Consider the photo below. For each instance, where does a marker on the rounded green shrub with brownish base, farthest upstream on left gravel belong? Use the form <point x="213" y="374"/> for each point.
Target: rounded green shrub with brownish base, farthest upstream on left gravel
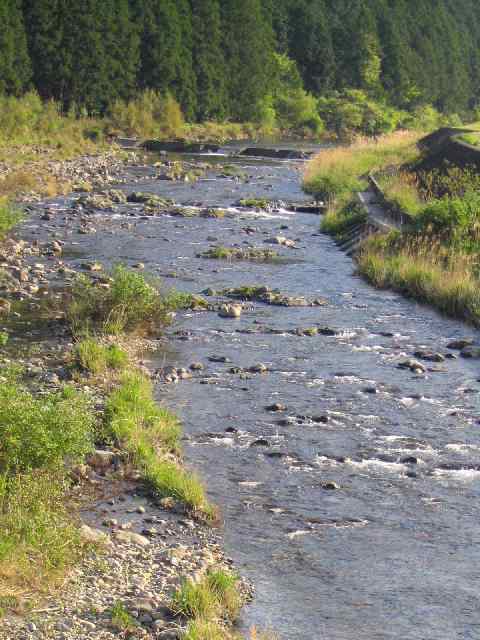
<point x="130" y="303"/>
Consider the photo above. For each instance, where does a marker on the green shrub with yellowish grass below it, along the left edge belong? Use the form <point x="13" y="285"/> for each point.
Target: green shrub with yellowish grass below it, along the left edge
<point x="41" y="436"/>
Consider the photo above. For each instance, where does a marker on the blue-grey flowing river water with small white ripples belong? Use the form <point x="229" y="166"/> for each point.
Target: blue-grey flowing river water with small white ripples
<point x="390" y="551"/>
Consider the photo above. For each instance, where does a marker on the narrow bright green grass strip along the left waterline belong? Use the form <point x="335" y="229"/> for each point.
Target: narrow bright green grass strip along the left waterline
<point x="147" y="431"/>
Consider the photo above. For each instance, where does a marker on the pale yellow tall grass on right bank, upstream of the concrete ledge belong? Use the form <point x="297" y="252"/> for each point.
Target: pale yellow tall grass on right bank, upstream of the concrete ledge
<point x="335" y="174"/>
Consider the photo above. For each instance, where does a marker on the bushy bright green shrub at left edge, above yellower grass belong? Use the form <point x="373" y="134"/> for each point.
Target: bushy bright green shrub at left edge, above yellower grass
<point x="42" y="432"/>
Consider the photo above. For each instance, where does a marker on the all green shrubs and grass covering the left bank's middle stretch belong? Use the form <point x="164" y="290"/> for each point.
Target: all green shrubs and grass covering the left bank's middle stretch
<point x="46" y="434"/>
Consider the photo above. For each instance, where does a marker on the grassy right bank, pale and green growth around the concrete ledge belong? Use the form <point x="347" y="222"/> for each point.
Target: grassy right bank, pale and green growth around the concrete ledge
<point x="436" y="260"/>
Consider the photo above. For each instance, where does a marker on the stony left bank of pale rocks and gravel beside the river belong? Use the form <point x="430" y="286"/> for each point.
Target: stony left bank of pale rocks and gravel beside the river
<point x="141" y="548"/>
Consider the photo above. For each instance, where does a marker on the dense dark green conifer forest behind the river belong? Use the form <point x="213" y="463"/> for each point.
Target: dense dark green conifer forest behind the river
<point x="219" y="58"/>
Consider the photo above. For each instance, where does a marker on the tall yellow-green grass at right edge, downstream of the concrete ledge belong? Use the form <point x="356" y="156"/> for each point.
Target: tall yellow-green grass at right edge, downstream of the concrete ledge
<point x="424" y="269"/>
